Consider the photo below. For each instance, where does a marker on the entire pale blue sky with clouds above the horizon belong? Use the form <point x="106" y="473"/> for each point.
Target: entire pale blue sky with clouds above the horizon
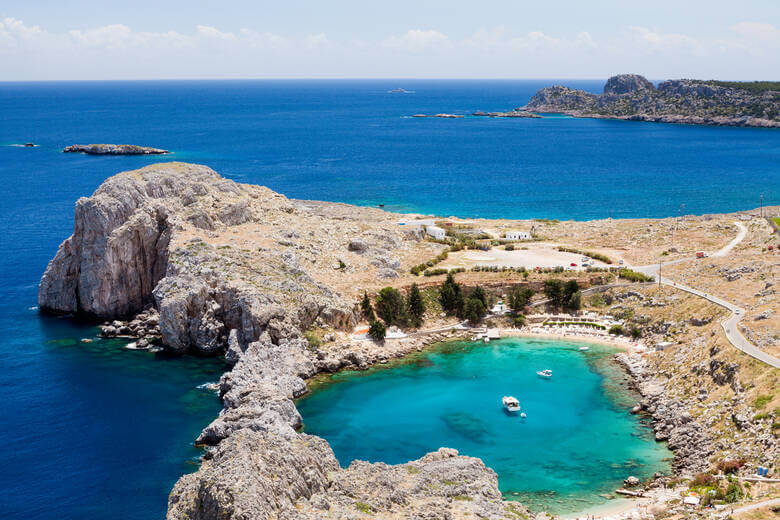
<point x="193" y="39"/>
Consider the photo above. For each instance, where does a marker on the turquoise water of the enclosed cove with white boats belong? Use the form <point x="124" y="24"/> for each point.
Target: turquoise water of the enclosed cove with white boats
<point x="578" y="440"/>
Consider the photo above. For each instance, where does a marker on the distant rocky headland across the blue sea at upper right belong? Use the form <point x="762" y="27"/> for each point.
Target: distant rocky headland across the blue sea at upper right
<point x="632" y="97"/>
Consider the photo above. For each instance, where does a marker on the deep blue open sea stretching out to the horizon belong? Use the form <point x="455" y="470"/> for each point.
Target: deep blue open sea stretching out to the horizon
<point x="90" y="430"/>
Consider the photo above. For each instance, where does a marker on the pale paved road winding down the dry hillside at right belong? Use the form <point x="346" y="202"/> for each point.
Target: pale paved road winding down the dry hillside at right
<point x="730" y="325"/>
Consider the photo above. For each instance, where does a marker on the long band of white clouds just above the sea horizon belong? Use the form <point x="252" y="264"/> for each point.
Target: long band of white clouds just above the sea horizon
<point x="748" y="49"/>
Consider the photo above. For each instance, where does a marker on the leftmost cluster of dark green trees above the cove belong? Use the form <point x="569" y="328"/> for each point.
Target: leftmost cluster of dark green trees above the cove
<point x="392" y="309"/>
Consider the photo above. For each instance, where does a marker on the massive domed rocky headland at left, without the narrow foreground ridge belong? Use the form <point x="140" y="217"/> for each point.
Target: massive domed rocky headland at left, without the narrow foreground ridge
<point x="214" y="258"/>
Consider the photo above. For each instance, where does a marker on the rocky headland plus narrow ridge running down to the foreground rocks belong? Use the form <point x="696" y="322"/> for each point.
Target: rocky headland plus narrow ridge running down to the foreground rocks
<point x="211" y="265"/>
